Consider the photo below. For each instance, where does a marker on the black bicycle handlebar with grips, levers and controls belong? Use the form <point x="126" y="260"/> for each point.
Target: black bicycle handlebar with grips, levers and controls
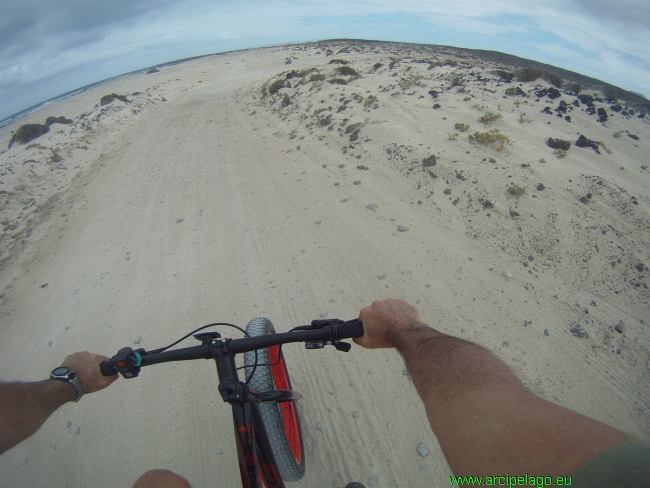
<point x="320" y="332"/>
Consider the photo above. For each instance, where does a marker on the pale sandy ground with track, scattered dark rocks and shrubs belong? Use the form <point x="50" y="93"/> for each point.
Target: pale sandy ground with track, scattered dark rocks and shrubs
<point x="202" y="200"/>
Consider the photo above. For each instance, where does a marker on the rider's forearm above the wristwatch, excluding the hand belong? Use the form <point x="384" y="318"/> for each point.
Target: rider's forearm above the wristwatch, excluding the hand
<point x="26" y="406"/>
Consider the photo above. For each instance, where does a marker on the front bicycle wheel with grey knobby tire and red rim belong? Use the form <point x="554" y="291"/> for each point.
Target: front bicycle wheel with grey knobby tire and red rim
<point x="281" y="419"/>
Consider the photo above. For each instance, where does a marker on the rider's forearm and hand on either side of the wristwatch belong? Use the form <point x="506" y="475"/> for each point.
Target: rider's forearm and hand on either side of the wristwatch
<point x="24" y="407"/>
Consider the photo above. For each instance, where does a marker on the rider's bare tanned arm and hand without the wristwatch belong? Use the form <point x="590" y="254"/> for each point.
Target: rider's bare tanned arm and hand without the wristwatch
<point x="486" y="421"/>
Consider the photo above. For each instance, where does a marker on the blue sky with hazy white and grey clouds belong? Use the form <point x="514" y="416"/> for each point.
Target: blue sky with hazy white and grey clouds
<point x="48" y="48"/>
